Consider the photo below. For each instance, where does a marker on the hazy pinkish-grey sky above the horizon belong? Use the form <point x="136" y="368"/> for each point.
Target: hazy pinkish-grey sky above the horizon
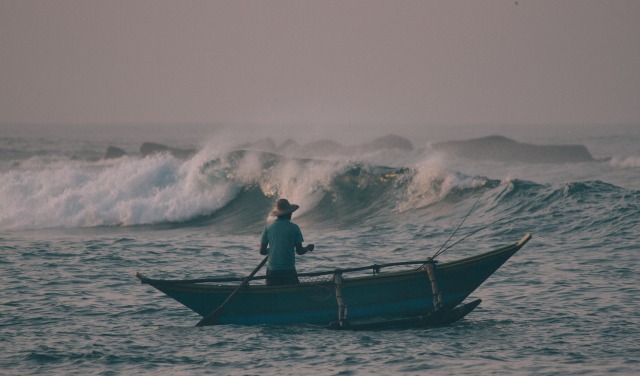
<point x="320" y="62"/>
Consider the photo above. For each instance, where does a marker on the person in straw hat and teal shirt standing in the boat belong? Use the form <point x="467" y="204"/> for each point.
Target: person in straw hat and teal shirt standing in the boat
<point x="283" y="238"/>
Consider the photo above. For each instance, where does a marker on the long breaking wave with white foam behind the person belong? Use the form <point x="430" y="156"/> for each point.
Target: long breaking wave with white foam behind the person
<point x="237" y="189"/>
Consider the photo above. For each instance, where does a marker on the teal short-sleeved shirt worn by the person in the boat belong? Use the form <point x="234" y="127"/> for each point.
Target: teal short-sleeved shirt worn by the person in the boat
<point x="282" y="236"/>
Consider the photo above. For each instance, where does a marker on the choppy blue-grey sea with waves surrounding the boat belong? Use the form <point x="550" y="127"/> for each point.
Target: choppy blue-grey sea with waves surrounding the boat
<point x="75" y="227"/>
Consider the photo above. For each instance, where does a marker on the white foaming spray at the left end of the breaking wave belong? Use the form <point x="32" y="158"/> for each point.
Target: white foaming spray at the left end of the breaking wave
<point x="131" y="192"/>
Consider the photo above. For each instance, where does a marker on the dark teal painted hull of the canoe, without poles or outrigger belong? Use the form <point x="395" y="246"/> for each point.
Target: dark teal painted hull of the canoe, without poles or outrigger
<point x="382" y="297"/>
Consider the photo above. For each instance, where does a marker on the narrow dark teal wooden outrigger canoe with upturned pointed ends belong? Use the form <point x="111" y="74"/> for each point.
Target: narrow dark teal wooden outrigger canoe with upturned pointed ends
<point x="429" y="294"/>
